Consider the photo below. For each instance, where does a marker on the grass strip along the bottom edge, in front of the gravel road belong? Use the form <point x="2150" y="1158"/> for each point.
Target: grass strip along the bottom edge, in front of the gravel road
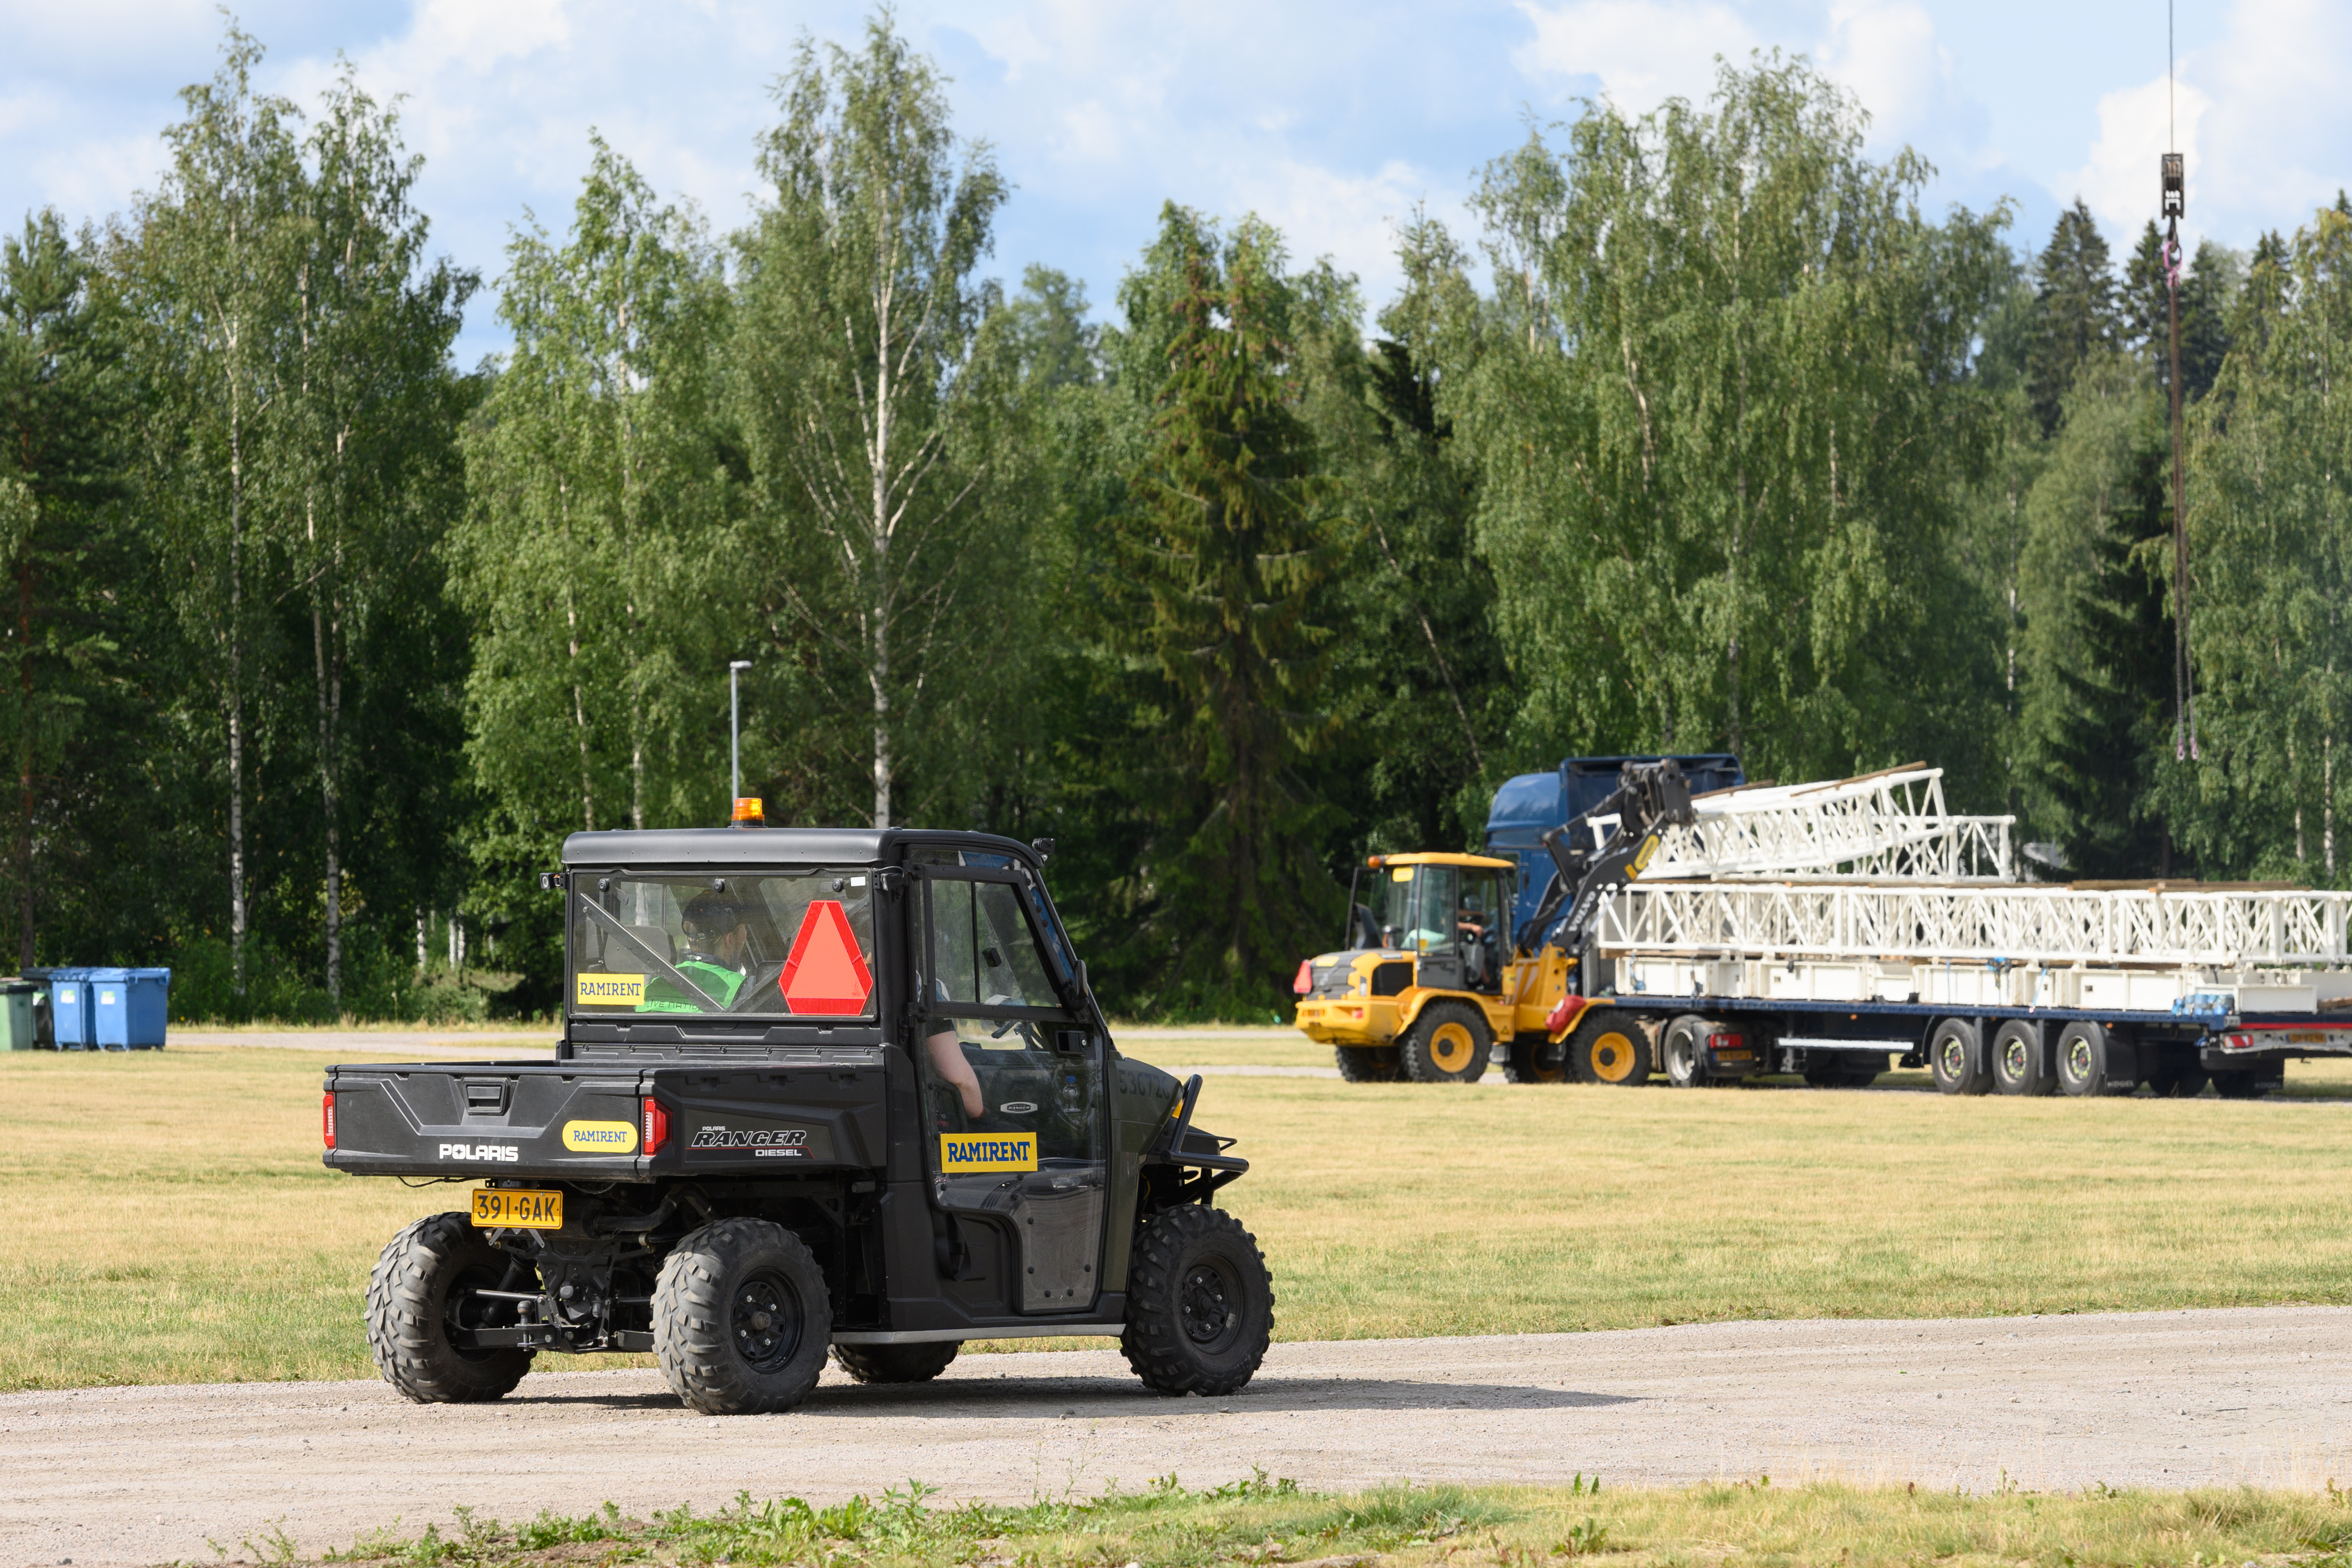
<point x="1274" y="1522"/>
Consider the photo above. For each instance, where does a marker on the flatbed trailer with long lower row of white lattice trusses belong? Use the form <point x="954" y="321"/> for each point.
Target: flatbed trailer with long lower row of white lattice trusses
<point x="2017" y="989"/>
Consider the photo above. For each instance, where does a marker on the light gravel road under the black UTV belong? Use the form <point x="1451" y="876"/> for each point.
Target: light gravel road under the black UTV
<point x="2165" y="1400"/>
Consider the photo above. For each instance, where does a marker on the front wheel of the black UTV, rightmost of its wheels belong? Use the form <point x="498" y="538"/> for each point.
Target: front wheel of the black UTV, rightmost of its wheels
<point x="1201" y="1306"/>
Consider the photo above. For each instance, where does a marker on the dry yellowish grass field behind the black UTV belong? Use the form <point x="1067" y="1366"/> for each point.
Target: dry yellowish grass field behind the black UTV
<point x="171" y="1221"/>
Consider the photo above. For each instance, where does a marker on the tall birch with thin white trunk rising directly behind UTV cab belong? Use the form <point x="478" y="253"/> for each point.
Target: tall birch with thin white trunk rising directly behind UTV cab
<point x="860" y="373"/>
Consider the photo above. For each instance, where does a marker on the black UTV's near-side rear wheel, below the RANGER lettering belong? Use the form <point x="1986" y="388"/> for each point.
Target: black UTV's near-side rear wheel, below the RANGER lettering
<point x="742" y="1320"/>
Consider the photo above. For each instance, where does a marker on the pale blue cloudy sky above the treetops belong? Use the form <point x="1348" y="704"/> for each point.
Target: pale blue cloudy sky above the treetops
<point x="1323" y="116"/>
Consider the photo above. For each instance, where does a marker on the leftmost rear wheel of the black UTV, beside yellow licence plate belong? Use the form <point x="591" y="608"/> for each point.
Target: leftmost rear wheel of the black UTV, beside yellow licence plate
<point x="425" y="1289"/>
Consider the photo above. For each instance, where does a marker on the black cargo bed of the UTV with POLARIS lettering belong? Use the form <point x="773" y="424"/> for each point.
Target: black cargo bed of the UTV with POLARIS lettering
<point x="603" y="1120"/>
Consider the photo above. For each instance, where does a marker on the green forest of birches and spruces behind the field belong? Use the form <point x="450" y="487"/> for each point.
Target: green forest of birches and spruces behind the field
<point x="1709" y="436"/>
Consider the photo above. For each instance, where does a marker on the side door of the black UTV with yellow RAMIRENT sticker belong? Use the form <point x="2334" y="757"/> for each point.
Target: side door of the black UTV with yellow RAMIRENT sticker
<point x="1013" y="1092"/>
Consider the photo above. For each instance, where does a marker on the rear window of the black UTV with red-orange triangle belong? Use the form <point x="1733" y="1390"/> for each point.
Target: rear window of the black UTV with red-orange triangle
<point x="789" y="946"/>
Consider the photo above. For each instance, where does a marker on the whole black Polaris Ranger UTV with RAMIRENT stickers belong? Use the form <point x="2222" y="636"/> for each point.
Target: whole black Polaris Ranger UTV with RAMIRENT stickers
<point x="820" y="1090"/>
